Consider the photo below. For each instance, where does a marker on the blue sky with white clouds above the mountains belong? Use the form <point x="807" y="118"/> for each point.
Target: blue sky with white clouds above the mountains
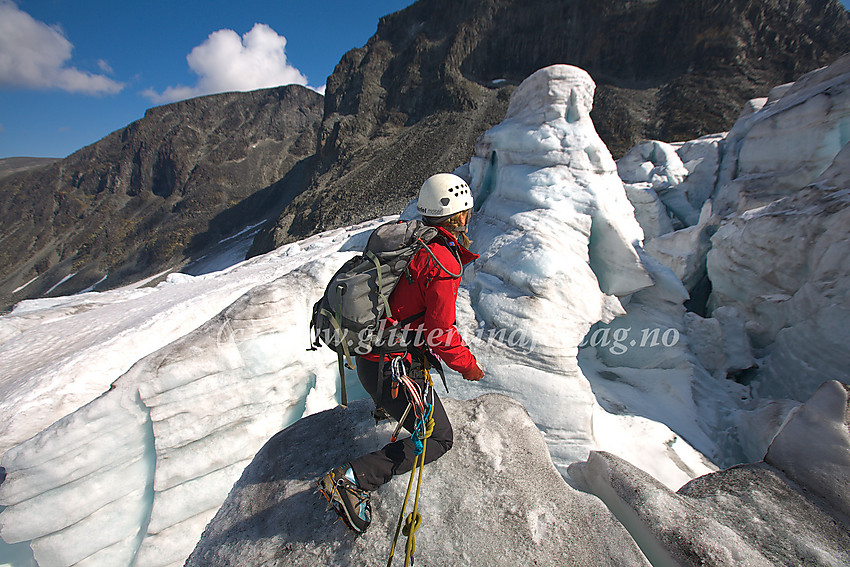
<point x="72" y="71"/>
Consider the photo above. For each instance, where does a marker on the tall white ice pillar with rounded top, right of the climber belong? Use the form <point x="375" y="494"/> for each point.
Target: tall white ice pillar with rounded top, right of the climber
<point x="553" y="225"/>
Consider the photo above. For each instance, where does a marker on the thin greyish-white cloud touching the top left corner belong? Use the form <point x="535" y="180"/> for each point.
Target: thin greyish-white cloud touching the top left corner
<point x="34" y="55"/>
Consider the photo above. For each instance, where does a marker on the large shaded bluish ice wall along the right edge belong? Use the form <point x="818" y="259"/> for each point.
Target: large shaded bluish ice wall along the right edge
<point x="782" y="259"/>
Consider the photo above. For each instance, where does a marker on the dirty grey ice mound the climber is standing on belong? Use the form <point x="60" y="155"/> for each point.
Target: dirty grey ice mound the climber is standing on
<point x="495" y="499"/>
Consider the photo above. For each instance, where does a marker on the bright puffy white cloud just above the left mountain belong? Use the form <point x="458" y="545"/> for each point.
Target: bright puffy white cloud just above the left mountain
<point x="228" y="62"/>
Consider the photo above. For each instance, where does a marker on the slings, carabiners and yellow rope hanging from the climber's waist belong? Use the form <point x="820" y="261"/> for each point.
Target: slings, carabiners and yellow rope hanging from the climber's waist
<point x="422" y="405"/>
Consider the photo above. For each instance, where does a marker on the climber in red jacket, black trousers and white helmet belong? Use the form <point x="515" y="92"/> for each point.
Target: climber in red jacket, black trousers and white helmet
<point x="445" y="202"/>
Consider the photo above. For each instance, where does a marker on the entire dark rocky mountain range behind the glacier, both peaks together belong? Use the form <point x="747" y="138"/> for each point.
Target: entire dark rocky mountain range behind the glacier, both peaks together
<point x="408" y="104"/>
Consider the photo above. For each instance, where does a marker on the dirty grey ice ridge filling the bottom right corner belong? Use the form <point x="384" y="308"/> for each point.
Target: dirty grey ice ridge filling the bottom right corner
<point x="789" y="509"/>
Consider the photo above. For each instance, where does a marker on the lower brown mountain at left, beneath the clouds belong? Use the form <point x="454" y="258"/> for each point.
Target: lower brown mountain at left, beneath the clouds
<point x="147" y="197"/>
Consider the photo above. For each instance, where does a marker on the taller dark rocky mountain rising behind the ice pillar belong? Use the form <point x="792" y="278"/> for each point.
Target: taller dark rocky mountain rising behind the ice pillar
<point x="439" y="73"/>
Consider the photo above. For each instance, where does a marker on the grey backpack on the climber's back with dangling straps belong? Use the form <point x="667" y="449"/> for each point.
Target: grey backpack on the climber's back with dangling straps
<point x="354" y="315"/>
